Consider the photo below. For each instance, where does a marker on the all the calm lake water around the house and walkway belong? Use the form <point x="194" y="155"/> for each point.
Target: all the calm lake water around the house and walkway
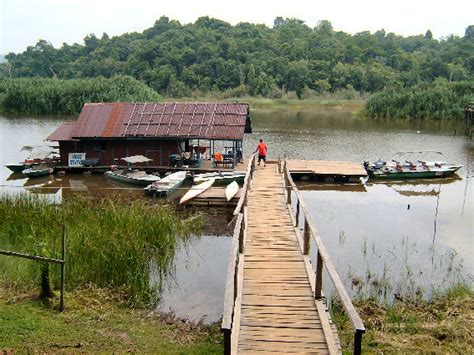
<point x="386" y="239"/>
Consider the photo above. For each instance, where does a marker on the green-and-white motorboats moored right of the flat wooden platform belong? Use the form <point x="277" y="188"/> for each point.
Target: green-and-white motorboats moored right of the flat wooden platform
<point x="411" y="165"/>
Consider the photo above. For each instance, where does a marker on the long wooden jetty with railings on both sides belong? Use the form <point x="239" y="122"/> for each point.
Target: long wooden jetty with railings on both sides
<point x="274" y="300"/>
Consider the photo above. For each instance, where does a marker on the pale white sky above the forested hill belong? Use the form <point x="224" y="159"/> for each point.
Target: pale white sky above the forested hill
<point x="24" y="22"/>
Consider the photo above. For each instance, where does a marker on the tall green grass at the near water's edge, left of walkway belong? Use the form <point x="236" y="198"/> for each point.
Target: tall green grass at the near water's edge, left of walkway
<point x="110" y="241"/>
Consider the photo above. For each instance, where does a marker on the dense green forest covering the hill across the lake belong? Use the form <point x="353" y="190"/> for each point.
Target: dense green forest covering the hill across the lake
<point x="179" y="60"/>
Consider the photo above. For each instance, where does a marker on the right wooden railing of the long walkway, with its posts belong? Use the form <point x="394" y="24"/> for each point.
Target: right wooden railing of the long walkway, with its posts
<point x="323" y="258"/>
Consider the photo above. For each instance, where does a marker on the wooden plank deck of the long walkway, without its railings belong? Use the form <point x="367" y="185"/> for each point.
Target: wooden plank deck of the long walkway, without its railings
<point x="278" y="309"/>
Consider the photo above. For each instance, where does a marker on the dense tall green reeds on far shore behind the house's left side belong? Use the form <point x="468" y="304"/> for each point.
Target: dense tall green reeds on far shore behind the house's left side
<point x="55" y="96"/>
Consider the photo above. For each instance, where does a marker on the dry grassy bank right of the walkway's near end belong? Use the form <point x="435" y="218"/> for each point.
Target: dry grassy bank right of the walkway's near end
<point x="442" y="325"/>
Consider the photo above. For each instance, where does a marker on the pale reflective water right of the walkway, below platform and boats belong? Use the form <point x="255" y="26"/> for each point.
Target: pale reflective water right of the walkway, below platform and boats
<point x="397" y="238"/>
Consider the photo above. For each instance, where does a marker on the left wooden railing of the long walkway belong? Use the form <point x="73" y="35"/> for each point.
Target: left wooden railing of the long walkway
<point x="235" y="269"/>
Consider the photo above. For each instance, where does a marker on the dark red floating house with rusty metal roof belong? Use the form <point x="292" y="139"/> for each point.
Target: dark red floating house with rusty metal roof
<point x="104" y="133"/>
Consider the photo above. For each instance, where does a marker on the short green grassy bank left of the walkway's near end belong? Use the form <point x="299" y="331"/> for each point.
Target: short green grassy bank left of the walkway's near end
<point x="97" y="320"/>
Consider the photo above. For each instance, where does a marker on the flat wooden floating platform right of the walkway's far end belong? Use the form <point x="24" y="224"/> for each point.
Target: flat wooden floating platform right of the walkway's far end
<point x="323" y="170"/>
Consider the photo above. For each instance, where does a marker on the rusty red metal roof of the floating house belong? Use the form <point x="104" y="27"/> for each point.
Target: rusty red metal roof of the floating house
<point x="186" y="120"/>
